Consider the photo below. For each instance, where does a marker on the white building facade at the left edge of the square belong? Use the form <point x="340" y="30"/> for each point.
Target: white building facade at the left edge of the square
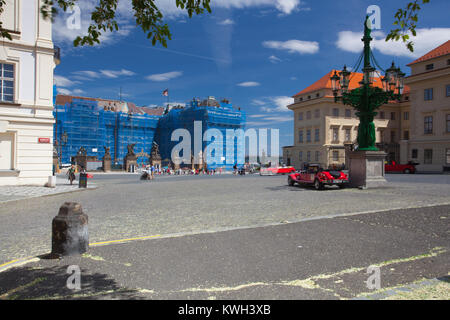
<point x="26" y="95"/>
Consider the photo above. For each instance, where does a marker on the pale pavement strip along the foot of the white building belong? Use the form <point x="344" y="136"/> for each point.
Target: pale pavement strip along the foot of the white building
<point x="11" y="193"/>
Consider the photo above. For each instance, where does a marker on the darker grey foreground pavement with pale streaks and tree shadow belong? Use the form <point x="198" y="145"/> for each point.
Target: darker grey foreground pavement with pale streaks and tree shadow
<point x="330" y="258"/>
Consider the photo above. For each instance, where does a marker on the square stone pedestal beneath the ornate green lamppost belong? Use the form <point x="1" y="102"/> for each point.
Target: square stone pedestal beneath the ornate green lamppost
<point x="366" y="169"/>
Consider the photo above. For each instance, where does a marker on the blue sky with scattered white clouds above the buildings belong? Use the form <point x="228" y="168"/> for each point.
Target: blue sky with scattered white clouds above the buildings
<point x="257" y="53"/>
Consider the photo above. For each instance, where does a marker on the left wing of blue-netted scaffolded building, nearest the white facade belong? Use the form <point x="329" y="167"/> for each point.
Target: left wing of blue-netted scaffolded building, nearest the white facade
<point x="96" y="124"/>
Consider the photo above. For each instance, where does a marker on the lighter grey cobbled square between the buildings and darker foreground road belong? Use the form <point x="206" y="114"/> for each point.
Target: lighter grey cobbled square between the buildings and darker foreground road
<point x="124" y="207"/>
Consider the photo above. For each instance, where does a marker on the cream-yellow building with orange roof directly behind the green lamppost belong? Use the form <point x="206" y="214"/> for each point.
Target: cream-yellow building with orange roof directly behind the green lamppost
<point x="322" y="127"/>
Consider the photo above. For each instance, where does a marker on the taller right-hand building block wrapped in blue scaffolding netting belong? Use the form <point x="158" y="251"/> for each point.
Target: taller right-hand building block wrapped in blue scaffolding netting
<point x="207" y="116"/>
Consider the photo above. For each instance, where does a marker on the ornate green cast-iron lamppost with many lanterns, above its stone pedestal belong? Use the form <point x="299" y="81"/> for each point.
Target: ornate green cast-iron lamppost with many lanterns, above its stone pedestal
<point x="367" y="98"/>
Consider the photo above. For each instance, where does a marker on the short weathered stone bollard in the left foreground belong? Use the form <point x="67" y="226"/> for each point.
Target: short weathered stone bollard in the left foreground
<point x="70" y="234"/>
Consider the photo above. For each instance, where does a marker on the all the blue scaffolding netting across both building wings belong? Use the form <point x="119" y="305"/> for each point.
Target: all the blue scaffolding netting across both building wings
<point x="86" y="123"/>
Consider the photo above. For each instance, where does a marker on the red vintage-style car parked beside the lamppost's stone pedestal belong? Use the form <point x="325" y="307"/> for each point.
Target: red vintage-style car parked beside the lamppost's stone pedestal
<point x="318" y="177"/>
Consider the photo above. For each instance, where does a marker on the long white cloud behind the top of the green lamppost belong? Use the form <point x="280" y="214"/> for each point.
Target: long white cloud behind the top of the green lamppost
<point x="425" y="41"/>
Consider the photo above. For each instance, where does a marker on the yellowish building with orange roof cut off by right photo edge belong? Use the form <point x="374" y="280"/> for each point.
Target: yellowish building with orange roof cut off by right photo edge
<point x="429" y="83"/>
